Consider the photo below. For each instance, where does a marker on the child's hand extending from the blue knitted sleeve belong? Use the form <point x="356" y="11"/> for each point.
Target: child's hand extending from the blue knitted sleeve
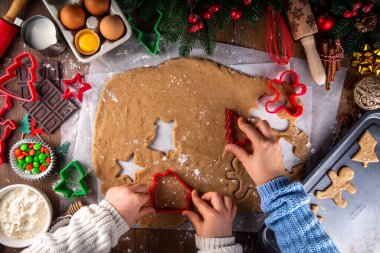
<point x="265" y="163"/>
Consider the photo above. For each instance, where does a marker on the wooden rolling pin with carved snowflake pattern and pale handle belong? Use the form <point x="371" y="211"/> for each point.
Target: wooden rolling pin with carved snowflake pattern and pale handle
<point x="303" y="26"/>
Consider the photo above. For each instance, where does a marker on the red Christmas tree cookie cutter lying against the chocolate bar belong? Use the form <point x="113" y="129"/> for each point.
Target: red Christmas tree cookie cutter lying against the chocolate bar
<point x="10" y="73"/>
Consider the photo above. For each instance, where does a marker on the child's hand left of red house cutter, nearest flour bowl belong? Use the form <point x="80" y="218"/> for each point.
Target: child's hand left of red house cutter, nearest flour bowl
<point x="129" y="201"/>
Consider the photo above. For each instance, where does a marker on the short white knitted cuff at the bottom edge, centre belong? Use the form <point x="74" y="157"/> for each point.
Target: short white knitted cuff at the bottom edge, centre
<point x="217" y="245"/>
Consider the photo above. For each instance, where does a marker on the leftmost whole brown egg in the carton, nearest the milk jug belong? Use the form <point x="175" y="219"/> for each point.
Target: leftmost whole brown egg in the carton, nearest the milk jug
<point x="73" y="17"/>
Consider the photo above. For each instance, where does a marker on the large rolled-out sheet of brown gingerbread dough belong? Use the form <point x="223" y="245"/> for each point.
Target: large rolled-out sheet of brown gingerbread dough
<point x="194" y="93"/>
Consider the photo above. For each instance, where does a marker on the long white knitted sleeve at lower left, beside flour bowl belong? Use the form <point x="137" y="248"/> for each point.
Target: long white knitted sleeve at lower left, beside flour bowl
<point x="96" y="228"/>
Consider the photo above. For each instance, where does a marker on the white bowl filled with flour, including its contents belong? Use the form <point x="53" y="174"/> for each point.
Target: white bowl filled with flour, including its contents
<point x="25" y="212"/>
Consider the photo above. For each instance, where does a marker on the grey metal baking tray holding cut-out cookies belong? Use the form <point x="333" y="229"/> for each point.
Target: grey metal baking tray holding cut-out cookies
<point x="355" y="228"/>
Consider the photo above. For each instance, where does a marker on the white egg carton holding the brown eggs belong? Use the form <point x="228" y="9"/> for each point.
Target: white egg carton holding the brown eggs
<point x="54" y="7"/>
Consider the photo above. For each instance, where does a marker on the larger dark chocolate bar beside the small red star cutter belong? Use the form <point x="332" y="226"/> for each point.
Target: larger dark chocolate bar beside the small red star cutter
<point x="51" y="109"/>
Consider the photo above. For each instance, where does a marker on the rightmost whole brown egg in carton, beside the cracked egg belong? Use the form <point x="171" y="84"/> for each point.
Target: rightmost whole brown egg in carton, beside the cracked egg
<point x="112" y="27"/>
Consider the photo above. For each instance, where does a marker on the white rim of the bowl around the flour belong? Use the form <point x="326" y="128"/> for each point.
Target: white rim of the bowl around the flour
<point x="22" y="243"/>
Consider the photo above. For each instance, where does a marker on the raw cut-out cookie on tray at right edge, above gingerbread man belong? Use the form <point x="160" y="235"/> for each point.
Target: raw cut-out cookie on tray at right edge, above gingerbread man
<point x="366" y="153"/>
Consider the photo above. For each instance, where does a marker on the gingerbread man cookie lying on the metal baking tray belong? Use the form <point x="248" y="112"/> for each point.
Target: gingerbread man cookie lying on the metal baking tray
<point x="339" y="183"/>
